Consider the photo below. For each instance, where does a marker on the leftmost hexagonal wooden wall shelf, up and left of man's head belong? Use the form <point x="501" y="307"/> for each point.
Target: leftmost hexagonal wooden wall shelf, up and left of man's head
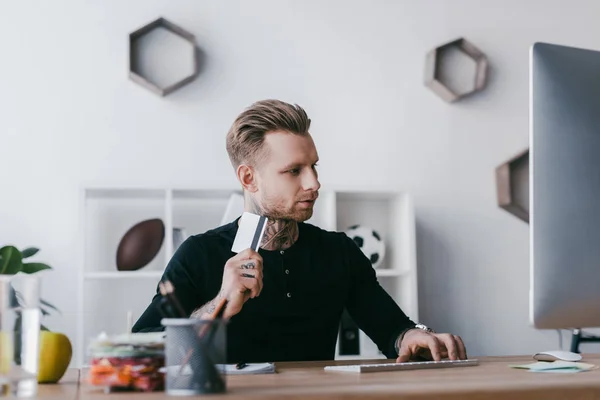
<point x="139" y="73"/>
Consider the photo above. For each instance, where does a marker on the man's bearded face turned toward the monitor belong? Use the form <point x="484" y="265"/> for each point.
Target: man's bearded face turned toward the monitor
<point x="287" y="177"/>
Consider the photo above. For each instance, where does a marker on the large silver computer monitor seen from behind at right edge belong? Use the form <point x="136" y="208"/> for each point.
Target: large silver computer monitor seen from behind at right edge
<point x="564" y="187"/>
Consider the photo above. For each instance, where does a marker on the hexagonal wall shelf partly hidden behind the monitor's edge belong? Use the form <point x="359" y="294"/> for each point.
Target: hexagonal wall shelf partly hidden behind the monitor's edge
<point x="512" y="185"/>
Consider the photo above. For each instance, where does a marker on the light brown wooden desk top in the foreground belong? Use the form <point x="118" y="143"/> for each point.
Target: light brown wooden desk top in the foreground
<point x="492" y="379"/>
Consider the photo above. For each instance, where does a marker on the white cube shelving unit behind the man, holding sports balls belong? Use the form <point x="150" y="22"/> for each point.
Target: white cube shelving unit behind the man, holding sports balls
<point x="106" y="294"/>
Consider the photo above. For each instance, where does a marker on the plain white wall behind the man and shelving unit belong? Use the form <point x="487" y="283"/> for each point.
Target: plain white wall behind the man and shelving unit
<point x="70" y="117"/>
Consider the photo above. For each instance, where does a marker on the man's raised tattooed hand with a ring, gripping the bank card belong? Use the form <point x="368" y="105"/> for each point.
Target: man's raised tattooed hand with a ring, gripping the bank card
<point x="242" y="280"/>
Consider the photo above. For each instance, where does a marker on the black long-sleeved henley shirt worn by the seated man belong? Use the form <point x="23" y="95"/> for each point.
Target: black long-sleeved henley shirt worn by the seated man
<point x="305" y="289"/>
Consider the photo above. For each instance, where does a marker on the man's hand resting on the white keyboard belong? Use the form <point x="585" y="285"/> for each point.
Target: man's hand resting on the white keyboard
<point x="418" y="344"/>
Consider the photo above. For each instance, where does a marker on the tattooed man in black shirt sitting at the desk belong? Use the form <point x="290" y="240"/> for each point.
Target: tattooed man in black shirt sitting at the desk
<point x="284" y="302"/>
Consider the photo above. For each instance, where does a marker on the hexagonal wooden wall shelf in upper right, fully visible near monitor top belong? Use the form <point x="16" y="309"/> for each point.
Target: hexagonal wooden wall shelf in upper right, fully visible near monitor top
<point x="438" y="79"/>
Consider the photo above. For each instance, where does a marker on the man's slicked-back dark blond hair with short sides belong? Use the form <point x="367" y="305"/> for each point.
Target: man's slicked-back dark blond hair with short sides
<point x="247" y="134"/>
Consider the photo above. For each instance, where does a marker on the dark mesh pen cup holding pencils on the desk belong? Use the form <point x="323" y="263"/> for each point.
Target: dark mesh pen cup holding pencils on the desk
<point x="195" y="356"/>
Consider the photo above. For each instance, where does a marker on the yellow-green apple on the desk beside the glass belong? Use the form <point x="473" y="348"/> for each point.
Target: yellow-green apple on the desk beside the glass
<point x="55" y="356"/>
